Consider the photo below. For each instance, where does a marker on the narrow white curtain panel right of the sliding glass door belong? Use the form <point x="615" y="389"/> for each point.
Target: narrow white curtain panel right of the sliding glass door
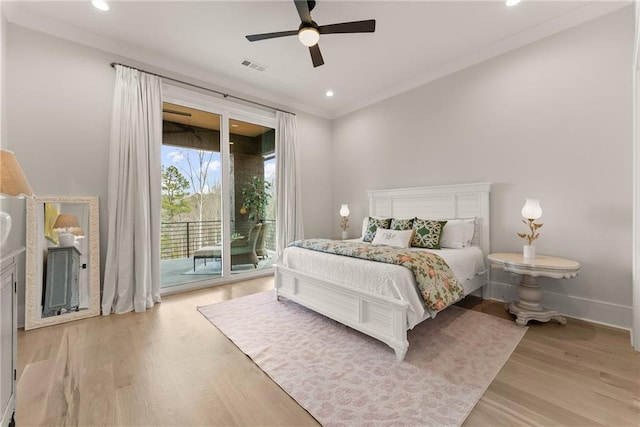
<point x="289" y="213"/>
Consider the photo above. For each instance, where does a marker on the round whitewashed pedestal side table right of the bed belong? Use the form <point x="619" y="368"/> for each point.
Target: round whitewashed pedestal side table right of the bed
<point x="529" y="291"/>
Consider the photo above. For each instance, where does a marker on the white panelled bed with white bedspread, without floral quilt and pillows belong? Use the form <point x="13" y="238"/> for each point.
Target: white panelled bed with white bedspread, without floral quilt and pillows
<point x="325" y="283"/>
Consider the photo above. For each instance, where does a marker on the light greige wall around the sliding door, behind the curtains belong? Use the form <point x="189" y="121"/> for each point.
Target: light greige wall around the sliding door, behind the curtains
<point x="59" y="110"/>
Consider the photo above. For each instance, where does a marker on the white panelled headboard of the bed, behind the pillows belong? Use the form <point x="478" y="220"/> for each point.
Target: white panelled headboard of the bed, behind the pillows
<point x="438" y="202"/>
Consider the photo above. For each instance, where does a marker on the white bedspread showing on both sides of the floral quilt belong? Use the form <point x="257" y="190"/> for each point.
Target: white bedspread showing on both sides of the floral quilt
<point x="381" y="278"/>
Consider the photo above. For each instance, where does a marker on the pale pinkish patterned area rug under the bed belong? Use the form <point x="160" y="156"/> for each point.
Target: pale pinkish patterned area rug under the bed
<point x="345" y="378"/>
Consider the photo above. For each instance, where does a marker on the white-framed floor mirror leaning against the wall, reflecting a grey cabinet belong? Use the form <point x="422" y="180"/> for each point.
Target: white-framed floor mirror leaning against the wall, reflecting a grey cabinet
<point x="63" y="260"/>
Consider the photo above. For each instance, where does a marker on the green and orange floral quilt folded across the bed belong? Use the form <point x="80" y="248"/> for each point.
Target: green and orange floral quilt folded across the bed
<point x="438" y="286"/>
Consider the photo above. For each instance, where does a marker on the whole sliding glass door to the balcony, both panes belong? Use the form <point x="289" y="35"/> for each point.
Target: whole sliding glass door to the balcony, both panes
<point x="218" y="195"/>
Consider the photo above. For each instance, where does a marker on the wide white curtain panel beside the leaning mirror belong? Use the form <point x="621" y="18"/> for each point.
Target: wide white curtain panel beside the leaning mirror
<point x="132" y="272"/>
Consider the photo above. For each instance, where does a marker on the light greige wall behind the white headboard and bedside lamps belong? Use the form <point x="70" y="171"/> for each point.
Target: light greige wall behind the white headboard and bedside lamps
<point x="551" y="120"/>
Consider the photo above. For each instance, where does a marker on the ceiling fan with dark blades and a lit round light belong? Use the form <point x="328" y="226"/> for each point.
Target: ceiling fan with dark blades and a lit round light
<point x="309" y="32"/>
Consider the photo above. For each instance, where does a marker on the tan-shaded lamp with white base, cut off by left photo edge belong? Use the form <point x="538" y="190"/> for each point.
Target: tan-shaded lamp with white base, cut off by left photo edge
<point x="13" y="183"/>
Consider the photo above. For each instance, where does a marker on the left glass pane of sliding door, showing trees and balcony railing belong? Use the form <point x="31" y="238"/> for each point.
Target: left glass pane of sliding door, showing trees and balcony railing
<point x="191" y="195"/>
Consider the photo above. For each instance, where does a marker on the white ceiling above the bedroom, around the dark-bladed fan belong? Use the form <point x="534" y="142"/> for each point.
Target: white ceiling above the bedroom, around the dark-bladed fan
<point x="415" y="41"/>
